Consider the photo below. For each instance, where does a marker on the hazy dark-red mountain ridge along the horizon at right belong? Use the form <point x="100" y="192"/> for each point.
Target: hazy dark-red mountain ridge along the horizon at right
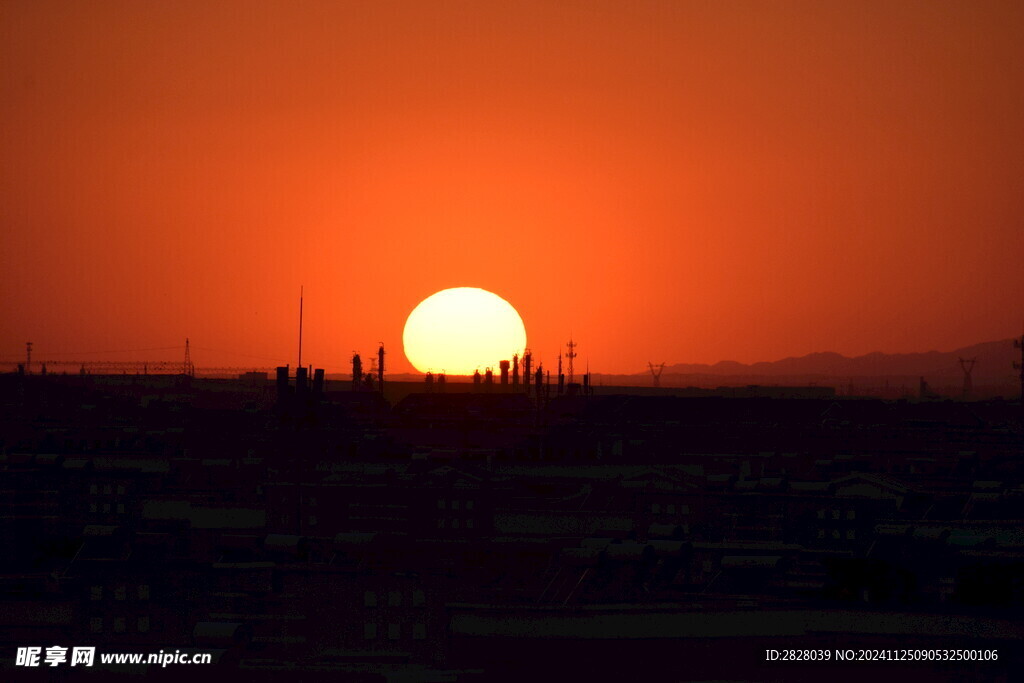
<point x="995" y="364"/>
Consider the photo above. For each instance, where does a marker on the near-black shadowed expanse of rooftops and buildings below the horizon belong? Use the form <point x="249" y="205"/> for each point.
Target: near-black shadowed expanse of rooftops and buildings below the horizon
<point x="486" y="536"/>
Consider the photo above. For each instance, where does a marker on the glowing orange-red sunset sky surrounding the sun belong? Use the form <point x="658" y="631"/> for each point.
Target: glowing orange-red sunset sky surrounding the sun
<point x="680" y="182"/>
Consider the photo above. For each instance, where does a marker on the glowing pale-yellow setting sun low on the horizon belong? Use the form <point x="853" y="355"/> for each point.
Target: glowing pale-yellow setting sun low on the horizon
<point x="460" y="330"/>
